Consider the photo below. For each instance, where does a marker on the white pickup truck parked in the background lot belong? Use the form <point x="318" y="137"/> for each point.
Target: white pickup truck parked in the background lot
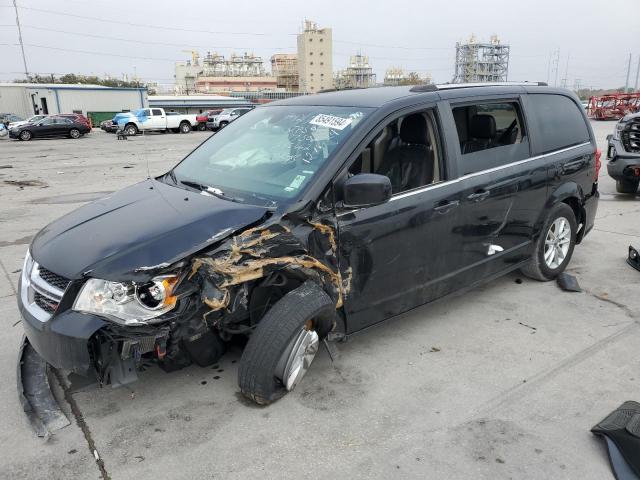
<point x="148" y="119"/>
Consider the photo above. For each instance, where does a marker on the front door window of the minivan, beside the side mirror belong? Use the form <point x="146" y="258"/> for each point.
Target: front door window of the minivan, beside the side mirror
<point x="407" y="150"/>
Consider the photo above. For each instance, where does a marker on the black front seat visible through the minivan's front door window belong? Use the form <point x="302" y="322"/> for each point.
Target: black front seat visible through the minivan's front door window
<point x="410" y="164"/>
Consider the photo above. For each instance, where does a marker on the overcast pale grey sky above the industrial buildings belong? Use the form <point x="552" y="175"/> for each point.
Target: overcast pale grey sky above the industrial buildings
<point x="416" y="35"/>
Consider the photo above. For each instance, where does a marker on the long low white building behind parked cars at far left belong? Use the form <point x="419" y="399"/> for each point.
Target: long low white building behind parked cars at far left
<point x="94" y="101"/>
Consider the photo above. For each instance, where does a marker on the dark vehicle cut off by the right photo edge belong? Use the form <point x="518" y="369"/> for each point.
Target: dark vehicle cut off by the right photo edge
<point x="623" y="154"/>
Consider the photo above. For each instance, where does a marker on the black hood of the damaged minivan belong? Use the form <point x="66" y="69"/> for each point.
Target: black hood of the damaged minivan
<point x="131" y="233"/>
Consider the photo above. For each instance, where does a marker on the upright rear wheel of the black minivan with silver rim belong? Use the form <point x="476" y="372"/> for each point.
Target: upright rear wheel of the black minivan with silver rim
<point x="550" y="257"/>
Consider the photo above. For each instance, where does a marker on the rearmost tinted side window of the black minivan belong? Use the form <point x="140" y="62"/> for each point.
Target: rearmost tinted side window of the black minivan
<point x="558" y="122"/>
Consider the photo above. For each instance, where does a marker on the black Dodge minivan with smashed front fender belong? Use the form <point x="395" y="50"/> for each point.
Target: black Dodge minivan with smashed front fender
<point x="310" y="219"/>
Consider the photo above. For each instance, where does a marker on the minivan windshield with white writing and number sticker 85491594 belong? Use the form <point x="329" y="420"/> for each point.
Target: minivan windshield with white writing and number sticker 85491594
<point x="269" y="154"/>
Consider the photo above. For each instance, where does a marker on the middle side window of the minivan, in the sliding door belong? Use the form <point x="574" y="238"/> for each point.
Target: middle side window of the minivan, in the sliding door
<point x="490" y="134"/>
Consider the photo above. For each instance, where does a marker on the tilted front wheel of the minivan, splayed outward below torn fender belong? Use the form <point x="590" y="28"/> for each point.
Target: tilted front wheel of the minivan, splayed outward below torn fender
<point x="284" y="343"/>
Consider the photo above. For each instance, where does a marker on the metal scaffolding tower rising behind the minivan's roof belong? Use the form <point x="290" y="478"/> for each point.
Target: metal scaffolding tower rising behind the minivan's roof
<point x="481" y="62"/>
